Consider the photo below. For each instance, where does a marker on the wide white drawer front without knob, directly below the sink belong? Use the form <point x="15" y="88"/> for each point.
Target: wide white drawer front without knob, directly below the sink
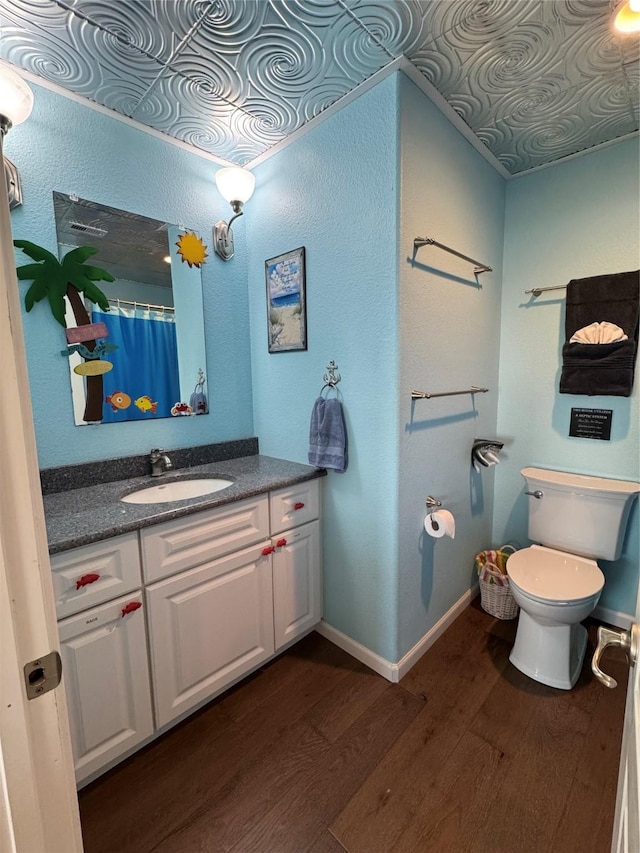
<point x="188" y="542"/>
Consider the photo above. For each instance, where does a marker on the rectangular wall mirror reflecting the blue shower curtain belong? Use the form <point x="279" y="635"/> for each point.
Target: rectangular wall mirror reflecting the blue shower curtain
<point x="152" y="358"/>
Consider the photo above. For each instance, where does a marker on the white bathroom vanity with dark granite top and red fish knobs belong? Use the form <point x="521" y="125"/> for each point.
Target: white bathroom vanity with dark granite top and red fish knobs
<point x="162" y="607"/>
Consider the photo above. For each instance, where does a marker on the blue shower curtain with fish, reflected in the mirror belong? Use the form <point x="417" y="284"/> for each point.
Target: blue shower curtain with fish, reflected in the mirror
<point x="145" y="365"/>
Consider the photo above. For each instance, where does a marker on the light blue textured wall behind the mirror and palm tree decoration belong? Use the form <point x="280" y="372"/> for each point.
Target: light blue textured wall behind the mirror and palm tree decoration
<point x="68" y="147"/>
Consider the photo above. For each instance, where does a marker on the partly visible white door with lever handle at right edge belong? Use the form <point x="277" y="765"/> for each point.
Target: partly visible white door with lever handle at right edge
<point x="626" y="828"/>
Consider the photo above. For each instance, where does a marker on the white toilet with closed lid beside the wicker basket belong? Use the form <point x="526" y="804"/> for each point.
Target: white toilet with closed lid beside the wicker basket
<point x="573" y="519"/>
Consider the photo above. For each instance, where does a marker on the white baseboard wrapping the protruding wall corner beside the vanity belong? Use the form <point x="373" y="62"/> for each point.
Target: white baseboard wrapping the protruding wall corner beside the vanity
<point x="395" y="671"/>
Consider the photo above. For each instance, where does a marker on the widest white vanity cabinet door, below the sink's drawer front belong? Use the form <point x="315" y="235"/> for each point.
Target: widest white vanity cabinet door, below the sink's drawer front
<point x="208" y="627"/>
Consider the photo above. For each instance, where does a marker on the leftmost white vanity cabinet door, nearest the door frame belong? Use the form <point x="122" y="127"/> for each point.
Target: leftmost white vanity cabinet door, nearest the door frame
<point x="105" y="673"/>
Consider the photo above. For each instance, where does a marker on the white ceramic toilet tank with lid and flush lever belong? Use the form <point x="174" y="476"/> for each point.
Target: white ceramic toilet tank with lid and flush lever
<point x="578" y="513"/>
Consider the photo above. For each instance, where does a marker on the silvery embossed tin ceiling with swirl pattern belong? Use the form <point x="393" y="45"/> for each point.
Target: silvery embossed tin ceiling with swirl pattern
<point x="535" y="80"/>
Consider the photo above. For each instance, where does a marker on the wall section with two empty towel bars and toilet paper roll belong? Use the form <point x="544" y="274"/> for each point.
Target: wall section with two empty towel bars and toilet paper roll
<point x="450" y="335"/>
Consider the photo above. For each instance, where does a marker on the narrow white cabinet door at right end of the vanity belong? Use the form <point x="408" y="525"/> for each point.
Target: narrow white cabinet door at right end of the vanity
<point x="297" y="583"/>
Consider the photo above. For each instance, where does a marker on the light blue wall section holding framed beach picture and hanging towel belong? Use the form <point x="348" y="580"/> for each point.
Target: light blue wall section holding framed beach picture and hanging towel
<point x="335" y="191"/>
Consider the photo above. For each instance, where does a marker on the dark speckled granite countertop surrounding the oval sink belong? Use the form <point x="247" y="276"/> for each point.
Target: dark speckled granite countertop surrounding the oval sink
<point x="81" y="516"/>
